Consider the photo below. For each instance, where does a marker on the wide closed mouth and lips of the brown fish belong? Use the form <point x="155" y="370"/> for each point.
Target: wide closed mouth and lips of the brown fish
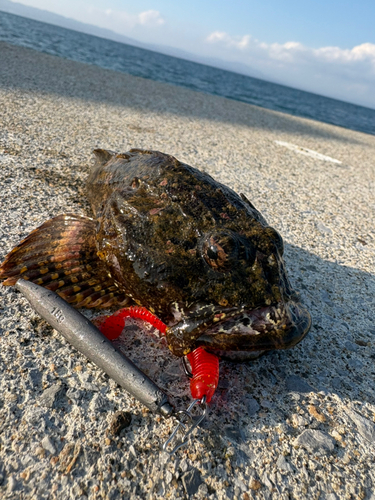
<point x="233" y="331"/>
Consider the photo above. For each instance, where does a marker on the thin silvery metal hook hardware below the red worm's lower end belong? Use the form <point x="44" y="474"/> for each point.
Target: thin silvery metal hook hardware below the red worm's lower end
<point x="193" y="420"/>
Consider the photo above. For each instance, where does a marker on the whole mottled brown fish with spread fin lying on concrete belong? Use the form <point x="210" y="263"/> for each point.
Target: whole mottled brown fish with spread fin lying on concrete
<point x="168" y="237"/>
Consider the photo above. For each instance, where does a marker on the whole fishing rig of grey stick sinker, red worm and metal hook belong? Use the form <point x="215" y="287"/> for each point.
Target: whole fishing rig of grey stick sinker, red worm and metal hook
<point x="95" y="345"/>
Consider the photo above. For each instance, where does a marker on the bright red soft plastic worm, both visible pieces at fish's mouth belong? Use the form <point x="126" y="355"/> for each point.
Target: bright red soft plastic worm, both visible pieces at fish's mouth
<point x="204" y="366"/>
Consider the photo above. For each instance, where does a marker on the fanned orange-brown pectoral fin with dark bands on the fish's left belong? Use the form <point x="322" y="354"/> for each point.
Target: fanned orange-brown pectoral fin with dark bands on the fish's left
<point x="61" y="255"/>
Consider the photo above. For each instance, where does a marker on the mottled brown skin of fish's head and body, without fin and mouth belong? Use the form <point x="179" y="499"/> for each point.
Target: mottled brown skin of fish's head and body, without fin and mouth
<point x="185" y="246"/>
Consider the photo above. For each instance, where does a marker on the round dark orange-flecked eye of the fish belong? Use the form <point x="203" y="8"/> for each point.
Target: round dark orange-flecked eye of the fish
<point x="217" y="251"/>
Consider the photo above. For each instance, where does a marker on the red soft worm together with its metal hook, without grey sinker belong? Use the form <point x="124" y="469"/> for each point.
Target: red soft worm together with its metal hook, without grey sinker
<point x="204" y="375"/>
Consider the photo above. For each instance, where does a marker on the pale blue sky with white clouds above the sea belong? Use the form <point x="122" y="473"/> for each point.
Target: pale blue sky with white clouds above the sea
<point x="322" y="46"/>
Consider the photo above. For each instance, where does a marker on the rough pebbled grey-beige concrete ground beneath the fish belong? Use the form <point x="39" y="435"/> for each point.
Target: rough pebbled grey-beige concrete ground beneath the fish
<point x="292" y="424"/>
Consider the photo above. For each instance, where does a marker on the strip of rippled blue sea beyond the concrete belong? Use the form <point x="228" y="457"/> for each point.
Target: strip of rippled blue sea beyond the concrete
<point x="155" y="66"/>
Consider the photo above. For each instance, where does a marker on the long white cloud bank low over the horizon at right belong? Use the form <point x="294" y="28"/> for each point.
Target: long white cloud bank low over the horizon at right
<point x="347" y="74"/>
